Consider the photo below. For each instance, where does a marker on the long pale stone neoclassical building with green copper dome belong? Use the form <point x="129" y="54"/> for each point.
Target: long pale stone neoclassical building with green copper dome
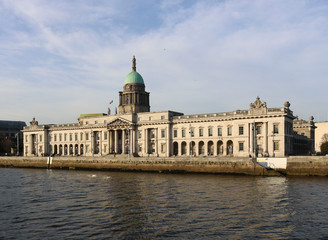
<point x="136" y="131"/>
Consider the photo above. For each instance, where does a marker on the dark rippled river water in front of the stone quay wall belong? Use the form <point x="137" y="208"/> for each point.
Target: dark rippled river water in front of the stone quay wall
<point x="58" y="204"/>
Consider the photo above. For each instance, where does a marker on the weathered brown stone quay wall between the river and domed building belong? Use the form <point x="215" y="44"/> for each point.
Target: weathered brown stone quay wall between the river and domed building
<point x="296" y="166"/>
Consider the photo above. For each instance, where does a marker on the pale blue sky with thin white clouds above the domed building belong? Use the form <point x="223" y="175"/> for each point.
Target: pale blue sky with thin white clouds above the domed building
<point x="60" y="59"/>
